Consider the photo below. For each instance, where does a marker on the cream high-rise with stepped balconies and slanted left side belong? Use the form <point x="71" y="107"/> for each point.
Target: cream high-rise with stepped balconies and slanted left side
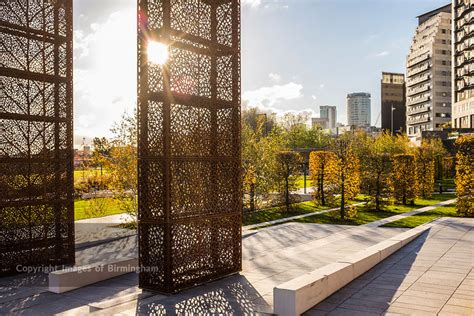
<point x="428" y="83"/>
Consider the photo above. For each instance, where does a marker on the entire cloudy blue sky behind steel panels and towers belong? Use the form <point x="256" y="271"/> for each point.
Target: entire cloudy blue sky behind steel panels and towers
<point x="296" y="54"/>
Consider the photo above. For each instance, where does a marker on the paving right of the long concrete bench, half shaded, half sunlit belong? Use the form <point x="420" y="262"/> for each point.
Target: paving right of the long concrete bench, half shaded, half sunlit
<point x="431" y="276"/>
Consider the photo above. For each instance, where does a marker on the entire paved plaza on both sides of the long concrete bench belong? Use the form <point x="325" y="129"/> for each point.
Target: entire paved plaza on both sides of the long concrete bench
<point x="433" y="273"/>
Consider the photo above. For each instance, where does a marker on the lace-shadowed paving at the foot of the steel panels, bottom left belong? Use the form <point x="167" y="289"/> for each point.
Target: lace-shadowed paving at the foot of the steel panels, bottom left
<point x="27" y="295"/>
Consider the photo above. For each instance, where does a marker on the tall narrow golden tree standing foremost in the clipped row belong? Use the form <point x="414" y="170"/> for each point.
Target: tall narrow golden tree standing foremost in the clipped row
<point x="348" y="175"/>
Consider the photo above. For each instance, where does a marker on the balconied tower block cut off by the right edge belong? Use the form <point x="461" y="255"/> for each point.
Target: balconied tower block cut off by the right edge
<point x="463" y="64"/>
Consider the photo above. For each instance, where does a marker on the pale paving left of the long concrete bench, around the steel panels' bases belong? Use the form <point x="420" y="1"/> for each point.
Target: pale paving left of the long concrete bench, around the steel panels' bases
<point x="270" y="256"/>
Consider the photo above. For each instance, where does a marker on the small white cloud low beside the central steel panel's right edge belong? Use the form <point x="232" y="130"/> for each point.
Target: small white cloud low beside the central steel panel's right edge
<point x="269" y="96"/>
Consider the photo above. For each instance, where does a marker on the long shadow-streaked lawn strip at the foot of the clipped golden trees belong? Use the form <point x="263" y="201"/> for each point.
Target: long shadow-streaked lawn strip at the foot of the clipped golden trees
<point x="365" y="216"/>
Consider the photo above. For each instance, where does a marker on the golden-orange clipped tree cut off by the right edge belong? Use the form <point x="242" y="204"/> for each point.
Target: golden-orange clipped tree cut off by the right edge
<point x="465" y="175"/>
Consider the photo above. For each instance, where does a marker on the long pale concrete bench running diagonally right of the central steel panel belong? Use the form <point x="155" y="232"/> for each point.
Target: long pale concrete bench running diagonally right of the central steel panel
<point x="302" y="293"/>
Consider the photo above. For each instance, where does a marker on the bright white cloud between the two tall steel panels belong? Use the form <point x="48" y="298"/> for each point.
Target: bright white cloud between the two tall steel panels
<point x="105" y="72"/>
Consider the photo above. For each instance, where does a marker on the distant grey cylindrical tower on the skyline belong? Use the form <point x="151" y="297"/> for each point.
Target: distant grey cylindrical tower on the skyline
<point x="358" y="109"/>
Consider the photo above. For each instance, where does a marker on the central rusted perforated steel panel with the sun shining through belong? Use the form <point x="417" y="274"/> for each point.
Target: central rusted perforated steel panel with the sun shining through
<point x="189" y="143"/>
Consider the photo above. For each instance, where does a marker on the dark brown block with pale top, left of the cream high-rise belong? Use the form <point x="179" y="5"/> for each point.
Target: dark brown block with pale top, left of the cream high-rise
<point x="393" y="102"/>
